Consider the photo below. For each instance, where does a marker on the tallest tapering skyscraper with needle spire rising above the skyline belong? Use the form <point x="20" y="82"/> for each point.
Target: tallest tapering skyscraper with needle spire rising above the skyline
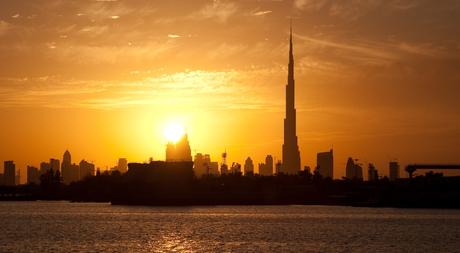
<point x="291" y="154"/>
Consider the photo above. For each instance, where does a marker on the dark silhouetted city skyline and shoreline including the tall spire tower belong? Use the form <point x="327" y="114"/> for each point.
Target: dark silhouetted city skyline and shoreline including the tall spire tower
<point x="182" y="180"/>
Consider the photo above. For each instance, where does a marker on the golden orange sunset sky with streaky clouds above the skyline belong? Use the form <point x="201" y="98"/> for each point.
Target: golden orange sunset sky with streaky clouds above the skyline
<point x="376" y="80"/>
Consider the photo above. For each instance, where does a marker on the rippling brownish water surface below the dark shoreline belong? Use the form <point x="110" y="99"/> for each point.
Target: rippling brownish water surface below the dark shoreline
<point x="90" y="227"/>
